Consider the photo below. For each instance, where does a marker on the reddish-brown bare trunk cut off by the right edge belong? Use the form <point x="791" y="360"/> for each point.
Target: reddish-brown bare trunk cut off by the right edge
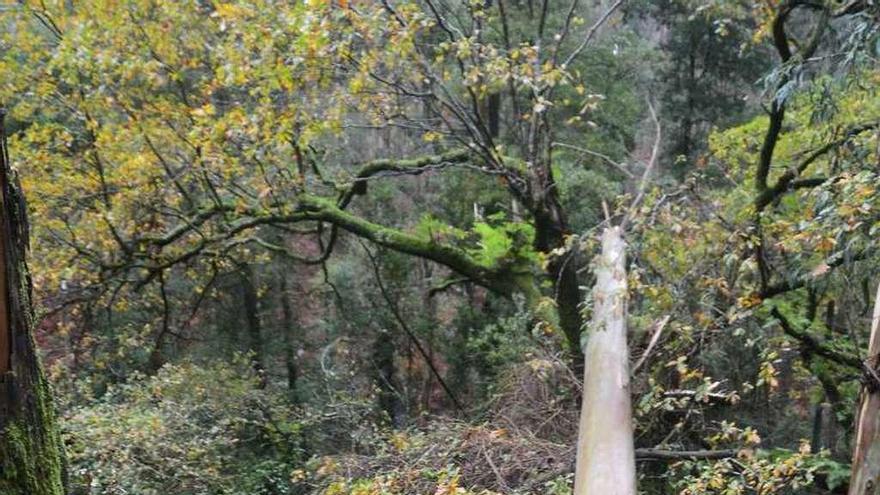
<point x="866" y="455"/>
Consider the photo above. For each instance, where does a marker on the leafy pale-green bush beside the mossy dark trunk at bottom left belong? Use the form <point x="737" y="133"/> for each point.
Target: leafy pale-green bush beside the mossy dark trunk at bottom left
<point x="189" y="430"/>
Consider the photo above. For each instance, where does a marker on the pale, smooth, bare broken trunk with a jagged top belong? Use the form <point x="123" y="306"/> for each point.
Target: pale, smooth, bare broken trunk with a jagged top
<point x="605" y="454"/>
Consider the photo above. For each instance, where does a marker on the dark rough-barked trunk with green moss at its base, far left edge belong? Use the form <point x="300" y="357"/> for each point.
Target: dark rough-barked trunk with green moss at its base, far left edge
<point x="31" y="452"/>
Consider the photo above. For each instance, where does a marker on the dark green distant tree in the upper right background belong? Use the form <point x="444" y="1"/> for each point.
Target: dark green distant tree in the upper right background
<point x="710" y="75"/>
